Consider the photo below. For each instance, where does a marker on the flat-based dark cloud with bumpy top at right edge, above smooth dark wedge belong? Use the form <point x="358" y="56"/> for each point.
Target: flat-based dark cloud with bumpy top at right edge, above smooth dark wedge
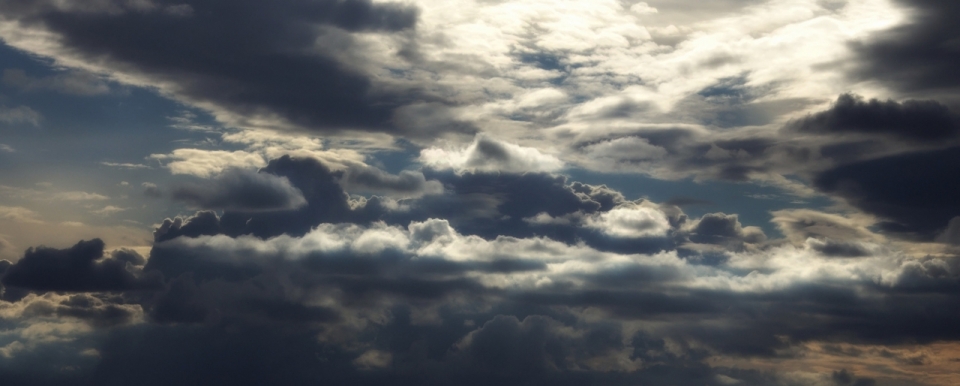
<point x="919" y="120"/>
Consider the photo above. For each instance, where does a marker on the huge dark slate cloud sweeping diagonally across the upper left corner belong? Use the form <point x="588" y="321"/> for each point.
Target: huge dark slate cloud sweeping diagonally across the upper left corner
<point x="245" y="58"/>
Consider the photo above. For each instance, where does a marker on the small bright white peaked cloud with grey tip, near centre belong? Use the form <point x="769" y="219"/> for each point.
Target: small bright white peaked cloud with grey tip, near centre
<point x="487" y="154"/>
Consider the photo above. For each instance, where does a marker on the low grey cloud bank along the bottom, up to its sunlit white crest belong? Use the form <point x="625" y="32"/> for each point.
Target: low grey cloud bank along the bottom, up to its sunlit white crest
<point x="270" y="291"/>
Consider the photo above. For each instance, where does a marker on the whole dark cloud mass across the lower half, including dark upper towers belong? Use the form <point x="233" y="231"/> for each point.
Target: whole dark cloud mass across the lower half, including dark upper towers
<point x="367" y="293"/>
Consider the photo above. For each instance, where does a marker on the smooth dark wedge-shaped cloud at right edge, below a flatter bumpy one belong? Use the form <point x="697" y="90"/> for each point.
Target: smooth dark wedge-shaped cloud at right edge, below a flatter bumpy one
<point x="914" y="193"/>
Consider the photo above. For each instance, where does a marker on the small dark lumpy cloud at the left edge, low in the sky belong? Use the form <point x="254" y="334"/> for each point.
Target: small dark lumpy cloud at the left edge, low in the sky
<point x="80" y="268"/>
